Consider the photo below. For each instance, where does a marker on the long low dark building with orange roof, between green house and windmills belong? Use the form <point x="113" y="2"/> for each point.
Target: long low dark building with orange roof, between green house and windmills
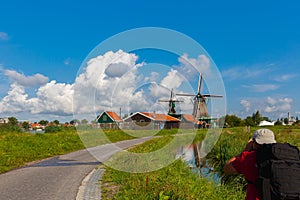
<point x="146" y="120"/>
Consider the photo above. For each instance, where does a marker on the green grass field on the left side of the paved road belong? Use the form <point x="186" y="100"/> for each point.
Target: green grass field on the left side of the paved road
<point x="19" y="148"/>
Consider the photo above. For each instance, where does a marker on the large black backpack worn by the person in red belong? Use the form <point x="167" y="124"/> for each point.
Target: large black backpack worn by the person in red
<point x="278" y="171"/>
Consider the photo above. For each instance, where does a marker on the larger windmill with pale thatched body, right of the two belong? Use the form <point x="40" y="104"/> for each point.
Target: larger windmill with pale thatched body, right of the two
<point x="200" y="109"/>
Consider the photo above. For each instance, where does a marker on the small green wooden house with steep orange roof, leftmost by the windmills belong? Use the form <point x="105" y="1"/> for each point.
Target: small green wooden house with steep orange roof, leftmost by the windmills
<point x="109" y="120"/>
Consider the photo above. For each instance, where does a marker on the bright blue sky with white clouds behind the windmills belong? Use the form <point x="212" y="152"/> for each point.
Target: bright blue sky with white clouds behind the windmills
<point x="50" y="67"/>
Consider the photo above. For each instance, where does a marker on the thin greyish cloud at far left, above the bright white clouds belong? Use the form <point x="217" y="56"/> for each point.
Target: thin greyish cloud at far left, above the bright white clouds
<point x="27" y="81"/>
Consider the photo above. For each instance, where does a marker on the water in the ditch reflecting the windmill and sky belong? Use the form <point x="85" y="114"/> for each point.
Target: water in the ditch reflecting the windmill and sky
<point x="199" y="165"/>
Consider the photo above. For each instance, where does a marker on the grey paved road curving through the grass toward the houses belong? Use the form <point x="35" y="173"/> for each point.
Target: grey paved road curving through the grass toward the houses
<point x="57" y="178"/>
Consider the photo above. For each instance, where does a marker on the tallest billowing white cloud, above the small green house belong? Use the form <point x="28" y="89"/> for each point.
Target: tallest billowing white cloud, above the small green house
<point x="109" y="81"/>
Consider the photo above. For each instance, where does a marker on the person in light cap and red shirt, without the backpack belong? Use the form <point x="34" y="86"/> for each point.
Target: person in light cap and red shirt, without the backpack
<point x="245" y="162"/>
